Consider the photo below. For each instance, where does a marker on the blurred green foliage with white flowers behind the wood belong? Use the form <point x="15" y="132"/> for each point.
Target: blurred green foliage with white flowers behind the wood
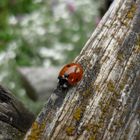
<point x="41" y="33"/>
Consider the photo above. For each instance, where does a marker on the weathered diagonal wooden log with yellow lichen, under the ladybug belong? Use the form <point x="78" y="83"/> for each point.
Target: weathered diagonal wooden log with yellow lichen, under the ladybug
<point x="105" y="105"/>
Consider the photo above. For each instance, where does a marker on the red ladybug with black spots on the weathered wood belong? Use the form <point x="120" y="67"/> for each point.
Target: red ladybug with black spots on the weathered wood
<point x="70" y="75"/>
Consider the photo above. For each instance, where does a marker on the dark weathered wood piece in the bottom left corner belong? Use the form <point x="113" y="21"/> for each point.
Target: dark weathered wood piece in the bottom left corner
<point x="15" y="119"/>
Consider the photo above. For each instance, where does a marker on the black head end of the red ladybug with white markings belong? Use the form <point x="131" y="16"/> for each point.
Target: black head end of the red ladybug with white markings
<point x="63" y="81"/>
